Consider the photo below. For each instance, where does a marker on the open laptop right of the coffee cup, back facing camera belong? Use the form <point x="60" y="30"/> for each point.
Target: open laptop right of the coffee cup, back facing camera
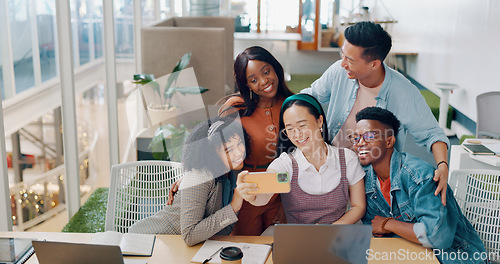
<point x="294" y="243"/>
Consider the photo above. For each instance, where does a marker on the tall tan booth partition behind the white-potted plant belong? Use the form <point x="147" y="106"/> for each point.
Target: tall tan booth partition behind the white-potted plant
<point x="209" y="39"/>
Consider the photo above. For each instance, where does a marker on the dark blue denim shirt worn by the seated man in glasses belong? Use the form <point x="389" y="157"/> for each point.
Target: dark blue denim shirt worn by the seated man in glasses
<point x="413" y="201"/>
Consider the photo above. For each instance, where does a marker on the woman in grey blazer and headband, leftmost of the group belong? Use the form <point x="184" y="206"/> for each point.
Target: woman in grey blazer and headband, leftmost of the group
<point x="207" y="203"/>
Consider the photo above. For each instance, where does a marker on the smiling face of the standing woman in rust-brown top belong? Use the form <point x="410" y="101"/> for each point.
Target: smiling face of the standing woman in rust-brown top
<point x="262" y="79"/>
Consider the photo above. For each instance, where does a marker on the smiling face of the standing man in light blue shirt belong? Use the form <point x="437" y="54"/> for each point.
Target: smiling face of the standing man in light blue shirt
<point x="355" y="65"/>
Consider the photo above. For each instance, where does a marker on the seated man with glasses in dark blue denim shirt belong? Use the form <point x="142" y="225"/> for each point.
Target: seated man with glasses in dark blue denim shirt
<point x="399" y="194"/>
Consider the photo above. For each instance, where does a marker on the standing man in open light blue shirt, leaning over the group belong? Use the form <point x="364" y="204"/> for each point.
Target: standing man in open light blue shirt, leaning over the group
<point x="361" y="79"/>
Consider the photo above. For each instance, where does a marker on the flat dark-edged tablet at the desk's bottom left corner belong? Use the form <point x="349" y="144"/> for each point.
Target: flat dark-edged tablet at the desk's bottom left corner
<point x="15" y="250"/>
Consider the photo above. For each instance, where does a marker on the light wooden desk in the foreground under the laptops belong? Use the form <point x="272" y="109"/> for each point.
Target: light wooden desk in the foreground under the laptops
<point x="173" y="248"/>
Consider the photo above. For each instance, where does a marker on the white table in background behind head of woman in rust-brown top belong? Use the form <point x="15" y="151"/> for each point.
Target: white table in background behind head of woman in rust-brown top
<point x="273" y="36"/>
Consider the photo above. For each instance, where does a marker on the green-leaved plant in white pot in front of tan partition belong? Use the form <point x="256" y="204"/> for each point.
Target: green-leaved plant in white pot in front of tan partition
<point x="162" y="108"/>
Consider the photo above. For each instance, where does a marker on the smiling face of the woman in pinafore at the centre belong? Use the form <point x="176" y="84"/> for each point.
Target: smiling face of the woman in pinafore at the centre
<point x="302" y="128"/>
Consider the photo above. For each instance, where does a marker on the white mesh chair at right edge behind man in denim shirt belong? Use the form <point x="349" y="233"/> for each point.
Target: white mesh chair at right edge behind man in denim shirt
<point x="478" y="194"/>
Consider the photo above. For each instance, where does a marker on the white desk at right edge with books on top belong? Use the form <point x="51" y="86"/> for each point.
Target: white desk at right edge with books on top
<point x="462" y="159"/>
